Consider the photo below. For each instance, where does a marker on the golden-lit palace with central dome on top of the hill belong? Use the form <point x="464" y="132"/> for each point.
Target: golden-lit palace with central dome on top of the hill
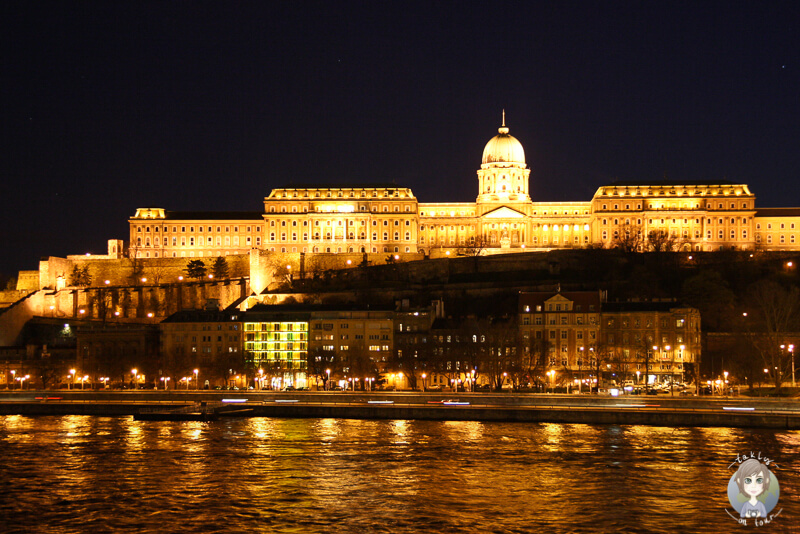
<point x="386" y="218"/>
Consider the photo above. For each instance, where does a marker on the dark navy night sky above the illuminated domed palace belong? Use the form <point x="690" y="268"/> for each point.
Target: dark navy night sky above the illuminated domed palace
<point x="115" y="105"/>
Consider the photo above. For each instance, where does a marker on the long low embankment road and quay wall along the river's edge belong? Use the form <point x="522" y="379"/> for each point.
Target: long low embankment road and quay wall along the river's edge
<point x="532" y="408"/>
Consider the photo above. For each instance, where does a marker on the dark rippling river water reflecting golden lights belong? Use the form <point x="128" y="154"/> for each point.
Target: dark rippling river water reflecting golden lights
<point x="113" y="474"/>
